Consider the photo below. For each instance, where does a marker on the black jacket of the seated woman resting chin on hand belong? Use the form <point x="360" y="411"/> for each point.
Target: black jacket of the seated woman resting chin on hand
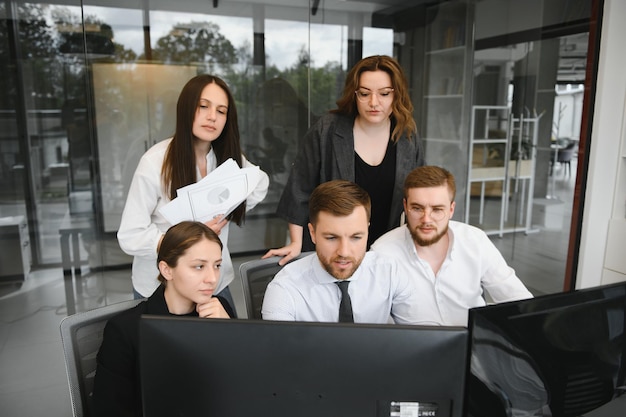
<point x="117" y="389"/>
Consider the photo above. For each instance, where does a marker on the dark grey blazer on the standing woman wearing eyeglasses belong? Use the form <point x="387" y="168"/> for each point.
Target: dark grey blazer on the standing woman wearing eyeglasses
<point x="326" y="153"/>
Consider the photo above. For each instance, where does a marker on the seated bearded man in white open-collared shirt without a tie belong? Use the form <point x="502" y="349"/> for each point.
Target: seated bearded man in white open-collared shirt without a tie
<point x="451" y="263"/>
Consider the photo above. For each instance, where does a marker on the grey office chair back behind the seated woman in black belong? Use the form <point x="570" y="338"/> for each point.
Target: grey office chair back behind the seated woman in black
<point x="81" y="336"/>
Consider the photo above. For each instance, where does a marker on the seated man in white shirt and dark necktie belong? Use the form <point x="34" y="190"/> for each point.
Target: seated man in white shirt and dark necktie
<point x="341" y="282"/>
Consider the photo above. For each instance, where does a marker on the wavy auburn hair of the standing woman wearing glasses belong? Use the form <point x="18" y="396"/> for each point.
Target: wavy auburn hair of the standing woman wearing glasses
<point x="401" y="107"/>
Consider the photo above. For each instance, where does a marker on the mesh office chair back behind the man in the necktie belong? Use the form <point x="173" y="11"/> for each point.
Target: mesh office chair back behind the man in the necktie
<point x="255" y="275"/>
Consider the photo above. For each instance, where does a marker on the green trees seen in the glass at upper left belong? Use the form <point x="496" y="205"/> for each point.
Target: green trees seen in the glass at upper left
<point x="53" y="77"/>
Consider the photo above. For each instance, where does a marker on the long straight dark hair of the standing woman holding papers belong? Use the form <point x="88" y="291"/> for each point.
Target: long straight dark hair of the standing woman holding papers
<point x="179" y="164"/>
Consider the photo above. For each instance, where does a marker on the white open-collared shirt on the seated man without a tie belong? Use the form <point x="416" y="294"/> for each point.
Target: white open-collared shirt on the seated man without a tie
<point x="472" y="264"/>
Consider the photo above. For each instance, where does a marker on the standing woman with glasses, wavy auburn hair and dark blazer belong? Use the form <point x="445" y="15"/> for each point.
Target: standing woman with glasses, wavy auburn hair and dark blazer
<point x="370" y="138"/>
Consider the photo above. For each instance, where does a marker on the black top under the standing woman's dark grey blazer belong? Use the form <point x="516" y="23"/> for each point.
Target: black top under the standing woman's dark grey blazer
<point x="378" y="181"/>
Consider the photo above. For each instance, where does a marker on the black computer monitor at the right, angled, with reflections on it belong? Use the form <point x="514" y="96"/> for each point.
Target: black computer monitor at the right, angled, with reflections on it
<point x="555" y="355"/>
